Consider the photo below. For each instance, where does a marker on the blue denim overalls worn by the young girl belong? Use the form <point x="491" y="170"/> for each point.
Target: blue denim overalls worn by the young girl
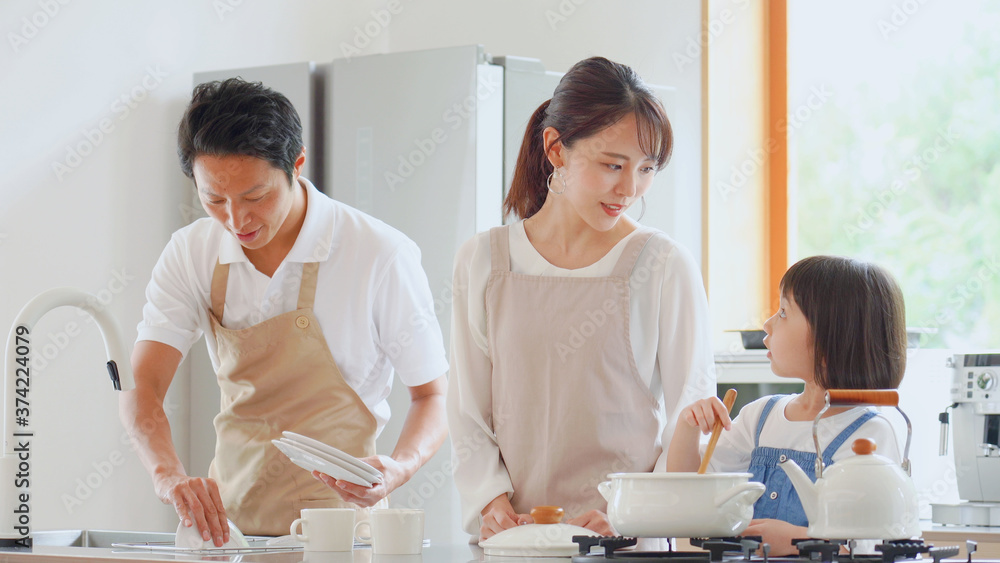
<point x="780" y="501"/>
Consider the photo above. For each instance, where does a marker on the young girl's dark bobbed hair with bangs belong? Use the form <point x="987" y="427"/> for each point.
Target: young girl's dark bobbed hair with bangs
<point x="857" y="318"/>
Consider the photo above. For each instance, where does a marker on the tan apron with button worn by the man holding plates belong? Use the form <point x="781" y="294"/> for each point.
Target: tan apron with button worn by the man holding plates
<point x="279" y="375"/>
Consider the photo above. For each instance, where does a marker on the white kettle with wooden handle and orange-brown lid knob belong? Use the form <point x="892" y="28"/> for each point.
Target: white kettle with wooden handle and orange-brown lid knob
<point x="866" y="496"/>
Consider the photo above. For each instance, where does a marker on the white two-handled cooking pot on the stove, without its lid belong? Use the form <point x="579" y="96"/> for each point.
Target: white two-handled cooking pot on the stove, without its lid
<point x="680" y="505"/>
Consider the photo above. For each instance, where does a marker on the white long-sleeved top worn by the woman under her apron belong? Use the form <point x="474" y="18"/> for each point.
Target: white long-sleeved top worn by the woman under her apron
<point x="669" y="332"/>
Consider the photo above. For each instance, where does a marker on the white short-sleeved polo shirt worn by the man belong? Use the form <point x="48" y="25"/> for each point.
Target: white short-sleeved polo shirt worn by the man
<point x="373" y="301"/>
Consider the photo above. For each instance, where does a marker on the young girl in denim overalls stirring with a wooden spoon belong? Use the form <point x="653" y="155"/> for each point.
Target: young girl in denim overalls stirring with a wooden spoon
<point x="840" y="325"/>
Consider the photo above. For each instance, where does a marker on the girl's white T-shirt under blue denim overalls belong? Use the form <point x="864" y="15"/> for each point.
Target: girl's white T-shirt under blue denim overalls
<point x="732" y="452"/>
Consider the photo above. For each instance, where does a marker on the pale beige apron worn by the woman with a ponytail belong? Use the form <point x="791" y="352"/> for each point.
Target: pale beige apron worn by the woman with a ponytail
<point x="569" y="406"/>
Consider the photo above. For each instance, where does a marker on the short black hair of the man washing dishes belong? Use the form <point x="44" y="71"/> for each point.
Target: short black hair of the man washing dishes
<point x="236" y="117"/>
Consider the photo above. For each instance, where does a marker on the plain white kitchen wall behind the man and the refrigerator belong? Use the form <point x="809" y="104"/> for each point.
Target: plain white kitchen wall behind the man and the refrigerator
<point x="100" y="222"/>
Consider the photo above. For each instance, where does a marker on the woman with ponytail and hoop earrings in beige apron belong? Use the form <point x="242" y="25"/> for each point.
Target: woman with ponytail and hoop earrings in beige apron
<point x="577" y="333"/>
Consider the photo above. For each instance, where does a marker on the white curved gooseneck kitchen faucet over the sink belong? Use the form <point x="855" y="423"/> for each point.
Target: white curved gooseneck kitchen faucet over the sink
<point x="15" y="464"/>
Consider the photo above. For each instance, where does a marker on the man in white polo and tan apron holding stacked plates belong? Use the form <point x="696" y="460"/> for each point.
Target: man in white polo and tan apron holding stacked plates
<point x="307" y="305"/>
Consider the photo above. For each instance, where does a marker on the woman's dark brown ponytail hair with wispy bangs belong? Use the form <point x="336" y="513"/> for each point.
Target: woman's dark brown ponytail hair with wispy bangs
<point x="592" y="96"/>
